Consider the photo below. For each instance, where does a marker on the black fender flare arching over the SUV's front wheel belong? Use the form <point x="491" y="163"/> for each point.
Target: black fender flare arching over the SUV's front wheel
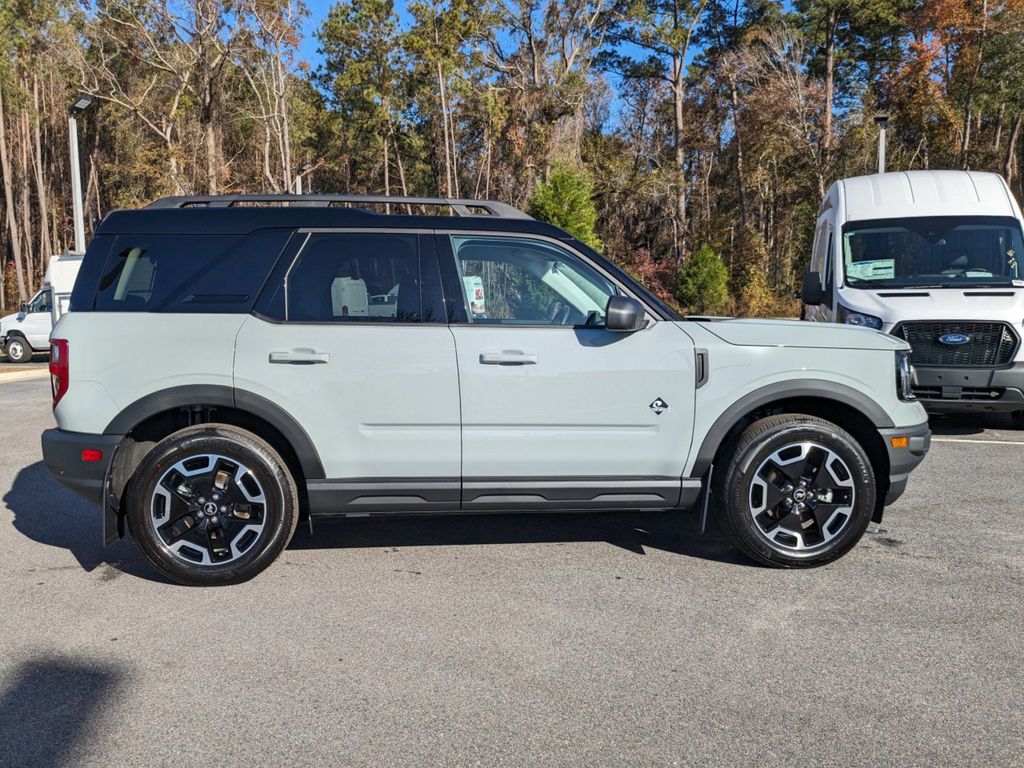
<point x="794" y="390"/>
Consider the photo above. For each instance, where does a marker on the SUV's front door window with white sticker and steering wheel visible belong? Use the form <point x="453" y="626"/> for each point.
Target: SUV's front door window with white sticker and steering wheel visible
<point x="519" y="281"/>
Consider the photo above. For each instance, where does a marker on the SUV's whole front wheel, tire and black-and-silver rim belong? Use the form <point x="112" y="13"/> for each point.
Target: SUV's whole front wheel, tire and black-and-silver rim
<point x="759" y="492"/>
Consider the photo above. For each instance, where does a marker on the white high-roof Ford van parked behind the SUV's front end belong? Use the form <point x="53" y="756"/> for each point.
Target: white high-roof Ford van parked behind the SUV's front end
<point x="933" y="259"/>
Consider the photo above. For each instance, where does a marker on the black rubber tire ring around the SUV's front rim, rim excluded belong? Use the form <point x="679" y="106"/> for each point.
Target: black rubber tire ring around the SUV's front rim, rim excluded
<point x="738" y="489"/>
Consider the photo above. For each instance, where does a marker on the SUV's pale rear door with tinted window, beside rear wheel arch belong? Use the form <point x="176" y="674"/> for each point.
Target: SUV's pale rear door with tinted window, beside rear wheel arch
<point x="353" y="342"/>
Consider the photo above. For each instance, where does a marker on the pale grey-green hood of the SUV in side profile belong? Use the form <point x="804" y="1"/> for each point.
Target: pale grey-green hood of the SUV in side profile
<point x="780" y="333"/>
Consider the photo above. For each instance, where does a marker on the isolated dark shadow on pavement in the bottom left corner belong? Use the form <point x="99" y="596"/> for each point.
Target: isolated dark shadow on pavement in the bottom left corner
<point x="49" y="708"/>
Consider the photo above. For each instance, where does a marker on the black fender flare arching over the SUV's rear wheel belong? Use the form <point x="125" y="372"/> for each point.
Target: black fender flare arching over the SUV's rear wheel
<point x="211" y="395"/>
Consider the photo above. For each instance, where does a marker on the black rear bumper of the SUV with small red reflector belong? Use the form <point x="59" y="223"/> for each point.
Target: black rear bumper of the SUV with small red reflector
<point x="63" y="456"/>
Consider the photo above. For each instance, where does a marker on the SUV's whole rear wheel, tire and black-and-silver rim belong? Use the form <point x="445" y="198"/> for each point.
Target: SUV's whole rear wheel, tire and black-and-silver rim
<point x="212" y="505"/>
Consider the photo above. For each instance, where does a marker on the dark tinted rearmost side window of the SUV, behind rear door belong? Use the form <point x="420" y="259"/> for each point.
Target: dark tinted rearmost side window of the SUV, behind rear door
<point x="188" y="274"/>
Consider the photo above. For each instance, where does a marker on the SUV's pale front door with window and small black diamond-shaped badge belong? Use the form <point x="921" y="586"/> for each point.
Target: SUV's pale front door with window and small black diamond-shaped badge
<point x="559" y="412"/>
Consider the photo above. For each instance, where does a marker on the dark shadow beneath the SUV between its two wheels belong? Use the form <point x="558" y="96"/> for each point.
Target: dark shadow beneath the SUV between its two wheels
<point x="636" y="532"/>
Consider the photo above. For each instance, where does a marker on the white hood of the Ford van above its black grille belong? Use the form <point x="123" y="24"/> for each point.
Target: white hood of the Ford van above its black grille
<point x="938" y="304"/>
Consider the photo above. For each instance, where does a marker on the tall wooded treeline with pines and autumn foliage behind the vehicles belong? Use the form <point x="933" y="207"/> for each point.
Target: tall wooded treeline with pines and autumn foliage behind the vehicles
<point x="688" y="124"/>
